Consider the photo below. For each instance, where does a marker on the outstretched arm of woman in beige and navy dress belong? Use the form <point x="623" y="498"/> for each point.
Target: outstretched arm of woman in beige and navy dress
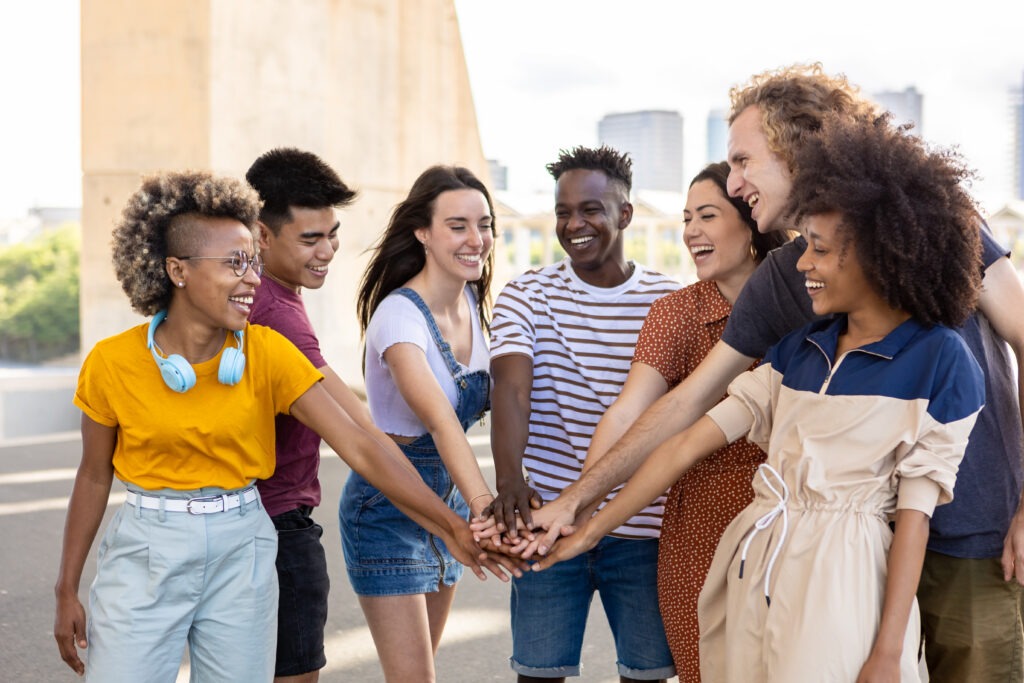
<point x="669" y="462"/>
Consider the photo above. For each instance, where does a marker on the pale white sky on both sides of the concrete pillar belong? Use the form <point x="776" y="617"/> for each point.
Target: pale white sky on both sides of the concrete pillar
<point x="544" y="73"/>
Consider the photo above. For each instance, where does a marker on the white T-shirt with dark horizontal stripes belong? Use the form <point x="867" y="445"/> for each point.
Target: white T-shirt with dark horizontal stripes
<point x="581" y="339"/>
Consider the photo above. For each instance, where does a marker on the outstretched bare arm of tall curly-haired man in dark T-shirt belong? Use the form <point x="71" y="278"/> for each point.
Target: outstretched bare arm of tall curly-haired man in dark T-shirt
<point x="670" y="415"/>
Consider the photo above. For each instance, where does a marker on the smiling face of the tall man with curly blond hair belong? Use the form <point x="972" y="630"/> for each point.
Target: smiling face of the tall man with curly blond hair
<point x="757" y="175"/>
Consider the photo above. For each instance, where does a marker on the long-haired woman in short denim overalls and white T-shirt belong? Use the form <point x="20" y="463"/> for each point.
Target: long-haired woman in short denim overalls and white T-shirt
<point x="422" y="308"/>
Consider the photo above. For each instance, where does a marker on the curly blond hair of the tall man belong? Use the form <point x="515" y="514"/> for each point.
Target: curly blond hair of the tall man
<point x="794" y="101"/>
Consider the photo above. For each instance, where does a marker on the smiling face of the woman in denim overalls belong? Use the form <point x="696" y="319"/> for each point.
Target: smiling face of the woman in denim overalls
<point x="460" y="236"/>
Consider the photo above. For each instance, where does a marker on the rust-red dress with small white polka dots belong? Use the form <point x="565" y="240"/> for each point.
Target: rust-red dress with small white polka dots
<point x="678" y="333"/>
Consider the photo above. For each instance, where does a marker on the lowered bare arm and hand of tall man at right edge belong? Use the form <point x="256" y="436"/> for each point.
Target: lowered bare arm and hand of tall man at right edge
<point x="1002" y="301"/>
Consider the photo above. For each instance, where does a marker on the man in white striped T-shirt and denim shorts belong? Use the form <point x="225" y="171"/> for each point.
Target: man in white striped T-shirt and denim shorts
<point x="563" y="341"/>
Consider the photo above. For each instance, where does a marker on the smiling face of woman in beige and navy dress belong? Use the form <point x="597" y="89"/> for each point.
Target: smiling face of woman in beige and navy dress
<point x="834" y="278"/>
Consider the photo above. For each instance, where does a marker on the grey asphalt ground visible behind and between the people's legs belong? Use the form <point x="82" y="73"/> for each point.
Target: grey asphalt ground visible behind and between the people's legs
<point x="35" y="482"/>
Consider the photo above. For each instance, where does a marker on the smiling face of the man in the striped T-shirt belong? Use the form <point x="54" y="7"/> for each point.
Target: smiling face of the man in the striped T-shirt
<point x="591" y="212"/>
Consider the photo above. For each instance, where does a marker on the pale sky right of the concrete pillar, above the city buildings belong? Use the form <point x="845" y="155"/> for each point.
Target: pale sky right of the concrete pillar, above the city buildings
<point x="544" y="73"/>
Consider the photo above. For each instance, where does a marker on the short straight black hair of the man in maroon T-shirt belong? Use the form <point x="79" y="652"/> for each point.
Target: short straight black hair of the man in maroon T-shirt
<point x="287" y="178"/>
